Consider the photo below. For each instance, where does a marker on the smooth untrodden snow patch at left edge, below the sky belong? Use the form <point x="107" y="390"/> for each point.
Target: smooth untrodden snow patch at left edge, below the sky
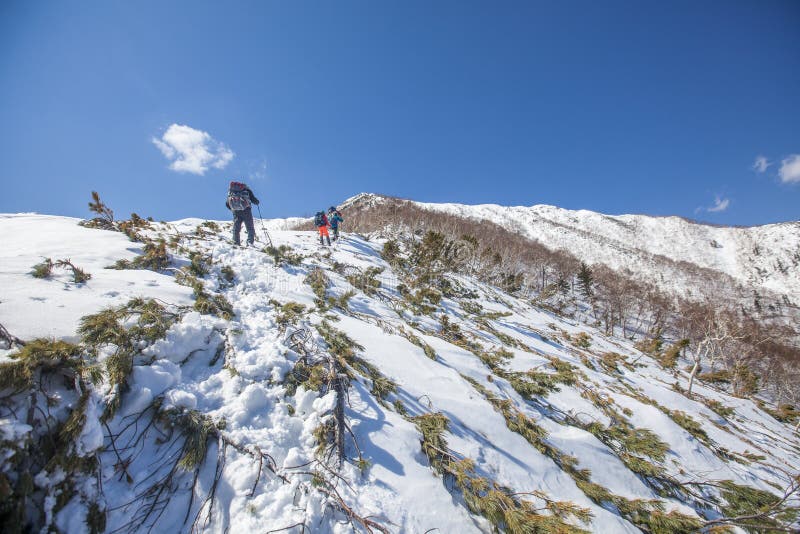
<point x="42" y="308"/>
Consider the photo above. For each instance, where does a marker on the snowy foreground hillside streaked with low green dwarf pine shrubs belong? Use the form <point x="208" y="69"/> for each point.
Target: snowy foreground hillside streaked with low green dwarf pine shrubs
<point x="248" y="377"/>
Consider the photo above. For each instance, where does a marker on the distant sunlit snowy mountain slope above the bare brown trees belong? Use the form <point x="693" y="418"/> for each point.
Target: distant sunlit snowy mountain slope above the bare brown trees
<point x="666" y="251"/>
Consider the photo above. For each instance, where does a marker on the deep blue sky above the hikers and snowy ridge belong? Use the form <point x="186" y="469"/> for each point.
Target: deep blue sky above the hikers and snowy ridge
<point x="619" y="107"/>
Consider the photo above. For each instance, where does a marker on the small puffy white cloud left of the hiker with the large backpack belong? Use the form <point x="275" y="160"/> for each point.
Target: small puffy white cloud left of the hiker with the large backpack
<point x="191" y="150"/>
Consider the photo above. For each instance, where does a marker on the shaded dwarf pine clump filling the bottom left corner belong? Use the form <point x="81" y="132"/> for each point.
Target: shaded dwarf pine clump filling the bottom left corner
<point x="36" y="376"/>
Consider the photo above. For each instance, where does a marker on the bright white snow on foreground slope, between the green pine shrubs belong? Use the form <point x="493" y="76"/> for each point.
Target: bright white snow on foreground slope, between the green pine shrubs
<point x="244" y="388"/>
